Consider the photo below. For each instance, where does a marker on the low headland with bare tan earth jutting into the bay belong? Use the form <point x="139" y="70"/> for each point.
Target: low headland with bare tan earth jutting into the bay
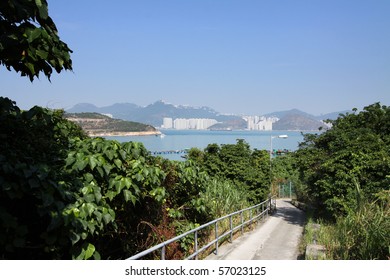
<point x="95" y="124"/>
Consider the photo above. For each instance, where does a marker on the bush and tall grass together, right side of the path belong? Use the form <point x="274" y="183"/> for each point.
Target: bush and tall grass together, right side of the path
<point x="343" y="175"/>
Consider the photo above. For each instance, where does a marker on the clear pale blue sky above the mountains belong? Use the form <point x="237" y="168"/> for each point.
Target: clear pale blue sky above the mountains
<point x="236" y="56"/>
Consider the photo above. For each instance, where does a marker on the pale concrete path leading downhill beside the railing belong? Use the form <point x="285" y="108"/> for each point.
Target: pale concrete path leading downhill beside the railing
<point x="275" y="239"/>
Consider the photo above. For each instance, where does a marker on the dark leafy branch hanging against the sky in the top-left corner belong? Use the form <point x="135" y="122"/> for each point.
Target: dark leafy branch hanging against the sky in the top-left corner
<point x="29" y="41"/>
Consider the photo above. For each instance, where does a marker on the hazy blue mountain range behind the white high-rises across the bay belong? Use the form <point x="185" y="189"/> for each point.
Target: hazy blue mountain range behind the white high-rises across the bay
<point x="154" y="113"/>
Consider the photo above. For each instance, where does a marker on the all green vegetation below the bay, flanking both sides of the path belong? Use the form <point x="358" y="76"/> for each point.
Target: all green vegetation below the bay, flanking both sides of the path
<point x="66" y="195"/>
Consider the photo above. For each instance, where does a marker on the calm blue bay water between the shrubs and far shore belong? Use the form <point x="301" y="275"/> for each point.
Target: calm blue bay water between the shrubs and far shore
<point x="173" y="140"/>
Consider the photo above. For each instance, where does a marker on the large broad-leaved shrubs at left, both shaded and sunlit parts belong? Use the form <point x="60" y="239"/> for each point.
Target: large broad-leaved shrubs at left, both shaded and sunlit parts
<point x="64" y="195"/>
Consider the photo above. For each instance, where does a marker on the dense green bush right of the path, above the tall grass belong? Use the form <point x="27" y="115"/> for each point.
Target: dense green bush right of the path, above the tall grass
<point x="356" y="150"/>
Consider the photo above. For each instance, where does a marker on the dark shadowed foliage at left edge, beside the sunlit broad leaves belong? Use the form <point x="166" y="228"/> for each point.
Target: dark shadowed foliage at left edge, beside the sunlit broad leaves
<point x="33" y="146"/>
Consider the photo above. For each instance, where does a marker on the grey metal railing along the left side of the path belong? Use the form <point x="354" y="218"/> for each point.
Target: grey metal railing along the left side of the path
<point x="260" y="210"/>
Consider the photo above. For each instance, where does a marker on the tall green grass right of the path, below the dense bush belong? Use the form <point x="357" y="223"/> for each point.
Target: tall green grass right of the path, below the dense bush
<point x="363" y="234"/>
